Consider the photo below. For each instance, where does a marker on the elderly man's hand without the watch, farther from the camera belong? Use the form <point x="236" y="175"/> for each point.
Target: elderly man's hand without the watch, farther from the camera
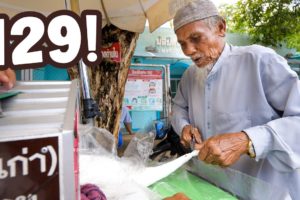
<point x="186" y="136"/>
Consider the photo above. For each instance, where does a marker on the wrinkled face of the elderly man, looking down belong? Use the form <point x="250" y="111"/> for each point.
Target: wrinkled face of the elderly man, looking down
<point x="201" y="43"/>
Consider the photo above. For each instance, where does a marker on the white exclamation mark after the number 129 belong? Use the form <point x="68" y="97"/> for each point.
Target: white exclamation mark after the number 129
<point x="91" y="27"/>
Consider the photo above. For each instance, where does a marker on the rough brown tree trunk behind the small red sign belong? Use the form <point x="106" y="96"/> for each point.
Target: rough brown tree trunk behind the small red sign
<point x="107" y="81"/>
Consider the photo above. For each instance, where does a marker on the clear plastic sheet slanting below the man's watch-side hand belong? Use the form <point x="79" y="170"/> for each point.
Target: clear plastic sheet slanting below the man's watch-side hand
<point x="237" y="183"/>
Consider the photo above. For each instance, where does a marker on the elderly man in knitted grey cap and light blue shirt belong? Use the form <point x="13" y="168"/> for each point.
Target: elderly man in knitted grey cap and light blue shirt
<point x="241" y="104"/>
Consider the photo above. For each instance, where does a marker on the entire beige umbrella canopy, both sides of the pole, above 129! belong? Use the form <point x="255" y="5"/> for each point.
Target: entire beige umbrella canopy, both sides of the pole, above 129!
<point x="128" y="15"/>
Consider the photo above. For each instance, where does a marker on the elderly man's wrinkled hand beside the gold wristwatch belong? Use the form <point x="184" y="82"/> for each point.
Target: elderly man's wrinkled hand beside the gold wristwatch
<point x="224" y="149"/>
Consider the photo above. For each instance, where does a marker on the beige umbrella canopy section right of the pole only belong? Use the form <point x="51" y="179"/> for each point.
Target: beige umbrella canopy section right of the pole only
<point x="131" y="15"/>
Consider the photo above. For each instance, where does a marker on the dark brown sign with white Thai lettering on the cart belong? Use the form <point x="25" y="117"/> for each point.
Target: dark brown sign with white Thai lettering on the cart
<point x="29" y="169"/>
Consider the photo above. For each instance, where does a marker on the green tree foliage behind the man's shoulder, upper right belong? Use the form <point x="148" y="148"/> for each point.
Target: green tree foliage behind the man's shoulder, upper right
<point x="269" y="22"/>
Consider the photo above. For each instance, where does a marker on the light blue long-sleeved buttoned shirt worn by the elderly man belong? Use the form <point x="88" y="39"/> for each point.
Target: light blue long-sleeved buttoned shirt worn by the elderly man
<point x="252" y="89"/>
